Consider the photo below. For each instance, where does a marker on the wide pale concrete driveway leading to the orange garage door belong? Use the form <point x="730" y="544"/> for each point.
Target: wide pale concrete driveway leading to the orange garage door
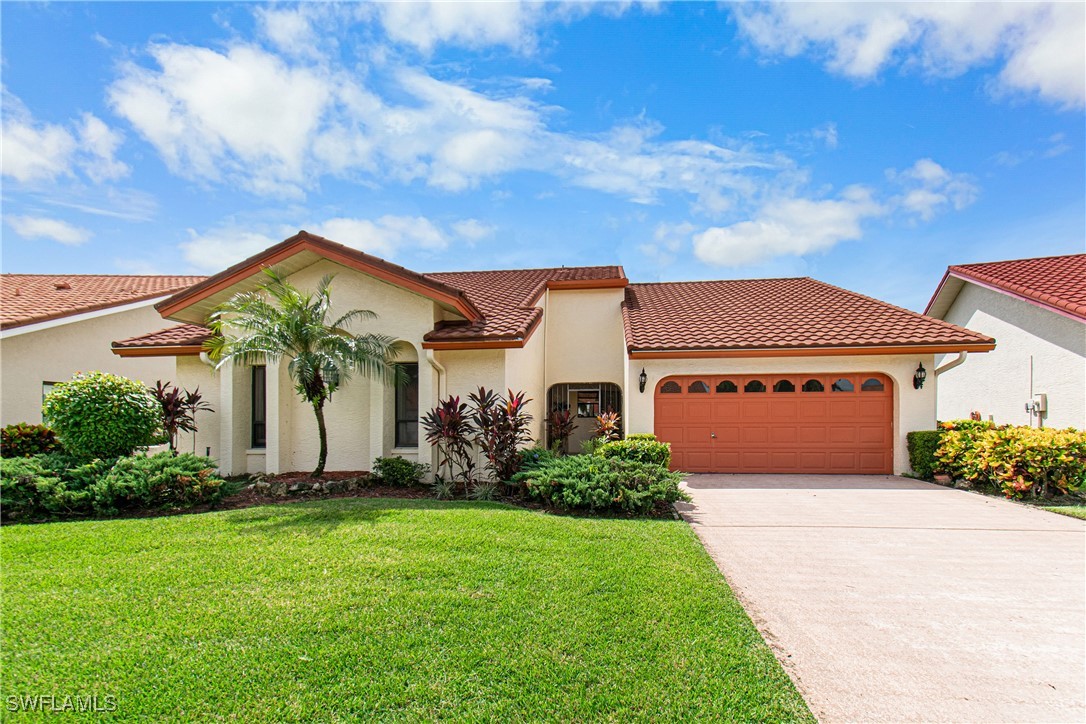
<point x="892" y="600"/>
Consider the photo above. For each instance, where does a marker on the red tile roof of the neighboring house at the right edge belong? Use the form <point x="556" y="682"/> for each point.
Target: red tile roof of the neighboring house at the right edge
<point x="1058" y="283"/>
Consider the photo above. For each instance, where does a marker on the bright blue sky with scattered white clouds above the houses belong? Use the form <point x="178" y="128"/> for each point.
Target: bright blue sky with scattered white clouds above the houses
<point x="868" y="146"/>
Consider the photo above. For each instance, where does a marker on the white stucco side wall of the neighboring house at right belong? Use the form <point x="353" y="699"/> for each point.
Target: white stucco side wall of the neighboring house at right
<point x="1037" y="350"/>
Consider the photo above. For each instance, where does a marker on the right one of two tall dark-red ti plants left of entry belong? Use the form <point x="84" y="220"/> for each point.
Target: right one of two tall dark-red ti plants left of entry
<point x="502" y="426"/>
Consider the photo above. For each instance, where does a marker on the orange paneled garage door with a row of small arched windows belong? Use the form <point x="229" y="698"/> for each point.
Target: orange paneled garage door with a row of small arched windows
<point x="813" y="424"/>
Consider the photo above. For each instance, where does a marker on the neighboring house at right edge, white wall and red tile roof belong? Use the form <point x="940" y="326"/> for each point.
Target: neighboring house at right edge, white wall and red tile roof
<point x="1038" y="311"/>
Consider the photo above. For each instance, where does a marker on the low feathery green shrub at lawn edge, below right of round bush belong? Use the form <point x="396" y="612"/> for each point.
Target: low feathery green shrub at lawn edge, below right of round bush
<point x="160" y="481"/>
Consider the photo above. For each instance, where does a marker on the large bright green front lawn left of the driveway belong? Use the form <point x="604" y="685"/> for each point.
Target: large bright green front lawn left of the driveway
<point x="389" y="609"/>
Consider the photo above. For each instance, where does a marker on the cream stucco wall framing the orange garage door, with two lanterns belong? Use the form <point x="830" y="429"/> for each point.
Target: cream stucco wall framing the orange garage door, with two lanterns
<point x="914" y="410"/>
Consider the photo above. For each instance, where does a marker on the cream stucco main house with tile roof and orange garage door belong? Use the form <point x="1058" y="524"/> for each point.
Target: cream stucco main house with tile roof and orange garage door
<point x="754" y="376"/>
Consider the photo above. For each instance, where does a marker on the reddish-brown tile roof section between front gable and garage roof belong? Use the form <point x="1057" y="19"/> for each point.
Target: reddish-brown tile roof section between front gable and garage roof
<point x="508" y="299"/>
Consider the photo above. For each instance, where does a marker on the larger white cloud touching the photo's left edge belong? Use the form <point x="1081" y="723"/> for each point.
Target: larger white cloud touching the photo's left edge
<point x="36" y="151"/>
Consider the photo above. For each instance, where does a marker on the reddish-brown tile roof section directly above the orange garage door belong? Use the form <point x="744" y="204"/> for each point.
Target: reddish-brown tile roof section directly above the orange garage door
<point x="784" y="314"/>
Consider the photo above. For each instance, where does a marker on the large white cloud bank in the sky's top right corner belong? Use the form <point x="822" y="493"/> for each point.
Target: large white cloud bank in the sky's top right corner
<point x="1041" y="47"/>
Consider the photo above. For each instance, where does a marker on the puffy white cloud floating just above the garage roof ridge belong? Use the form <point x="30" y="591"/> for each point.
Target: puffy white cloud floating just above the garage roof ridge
<point x="789" y="227"/>
